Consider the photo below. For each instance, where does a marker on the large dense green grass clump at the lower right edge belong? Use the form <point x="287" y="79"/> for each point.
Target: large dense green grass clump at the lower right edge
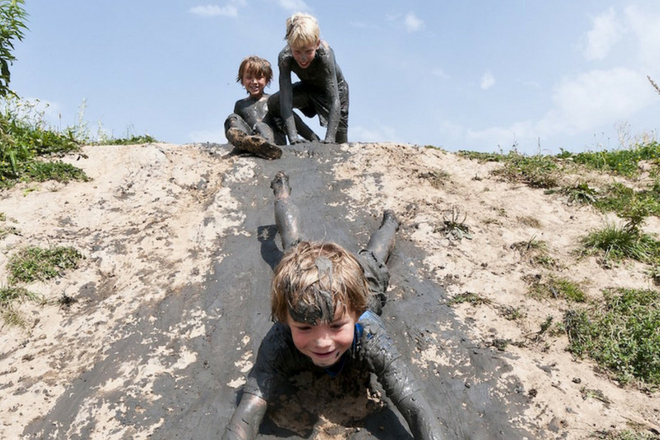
<point x="621" y="334"/>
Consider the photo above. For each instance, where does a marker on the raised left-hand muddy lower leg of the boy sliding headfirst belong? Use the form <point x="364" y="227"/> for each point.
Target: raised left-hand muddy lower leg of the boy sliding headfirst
<point x="287" y="215"/>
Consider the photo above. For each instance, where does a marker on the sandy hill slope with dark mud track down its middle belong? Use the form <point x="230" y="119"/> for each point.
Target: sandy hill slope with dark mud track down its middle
<point x="172" y="296"/>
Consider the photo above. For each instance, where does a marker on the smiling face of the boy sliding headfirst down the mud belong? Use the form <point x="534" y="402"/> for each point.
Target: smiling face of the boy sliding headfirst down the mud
<point x="324" y="343"/>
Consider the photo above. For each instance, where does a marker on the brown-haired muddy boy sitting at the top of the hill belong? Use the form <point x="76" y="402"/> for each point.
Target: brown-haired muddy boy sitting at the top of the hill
<point x="251" y="128"/>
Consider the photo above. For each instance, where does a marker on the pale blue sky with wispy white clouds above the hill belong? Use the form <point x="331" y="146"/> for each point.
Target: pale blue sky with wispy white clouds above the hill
<point x="477" y="75"/>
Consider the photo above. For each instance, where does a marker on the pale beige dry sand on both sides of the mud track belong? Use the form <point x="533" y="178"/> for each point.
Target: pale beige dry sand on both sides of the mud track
<point x="151" y="225"/>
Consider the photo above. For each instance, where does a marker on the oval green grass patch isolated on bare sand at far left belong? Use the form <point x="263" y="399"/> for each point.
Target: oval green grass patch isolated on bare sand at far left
<point x="37" y="264"/>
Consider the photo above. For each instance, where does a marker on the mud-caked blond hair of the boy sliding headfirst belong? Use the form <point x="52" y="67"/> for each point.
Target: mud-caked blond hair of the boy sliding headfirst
<point x="315" y="280"/>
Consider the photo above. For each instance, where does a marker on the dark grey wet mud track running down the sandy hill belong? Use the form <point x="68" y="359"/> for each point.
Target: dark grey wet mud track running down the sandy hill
<point x="471" y="391"/>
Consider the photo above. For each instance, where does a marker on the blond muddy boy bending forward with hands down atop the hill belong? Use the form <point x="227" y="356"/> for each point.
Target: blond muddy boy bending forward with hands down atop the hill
<point x="322" y="88"/>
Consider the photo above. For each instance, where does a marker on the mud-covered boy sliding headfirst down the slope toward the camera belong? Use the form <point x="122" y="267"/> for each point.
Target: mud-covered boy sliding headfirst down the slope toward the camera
<point x="325" y="302"/>
